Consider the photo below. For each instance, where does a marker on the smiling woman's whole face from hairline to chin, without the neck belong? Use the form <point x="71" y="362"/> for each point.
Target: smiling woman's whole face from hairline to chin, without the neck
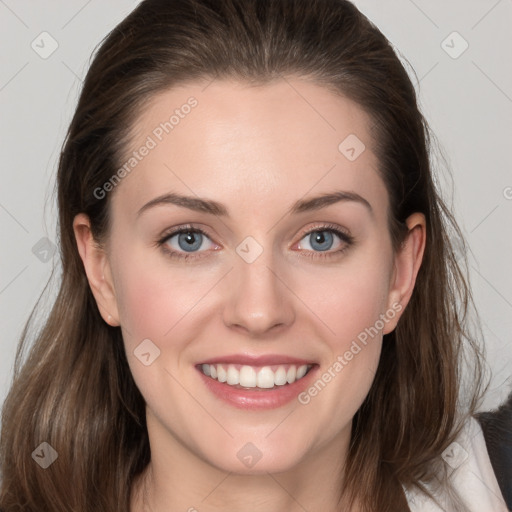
<point x="276" y="280"/>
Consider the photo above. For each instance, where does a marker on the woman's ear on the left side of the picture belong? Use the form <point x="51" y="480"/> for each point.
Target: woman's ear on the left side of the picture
<point x="97" y="269"/>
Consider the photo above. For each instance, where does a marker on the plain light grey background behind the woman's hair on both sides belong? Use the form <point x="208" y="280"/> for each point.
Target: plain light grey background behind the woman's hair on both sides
<point x="467" y="100"/>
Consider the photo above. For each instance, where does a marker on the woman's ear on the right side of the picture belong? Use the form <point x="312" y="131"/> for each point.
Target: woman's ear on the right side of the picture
<point x="406" y="266"/>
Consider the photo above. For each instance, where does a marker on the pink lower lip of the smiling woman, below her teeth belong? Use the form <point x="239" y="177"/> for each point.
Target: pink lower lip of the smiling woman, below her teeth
<point x="257" y="398"/>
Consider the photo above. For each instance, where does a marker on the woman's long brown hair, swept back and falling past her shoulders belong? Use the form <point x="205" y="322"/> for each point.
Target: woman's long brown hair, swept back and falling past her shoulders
<point x="75" y="391"/>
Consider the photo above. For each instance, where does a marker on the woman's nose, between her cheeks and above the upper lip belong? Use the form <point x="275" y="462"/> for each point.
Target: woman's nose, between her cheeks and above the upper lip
<point x="259" y="301"/>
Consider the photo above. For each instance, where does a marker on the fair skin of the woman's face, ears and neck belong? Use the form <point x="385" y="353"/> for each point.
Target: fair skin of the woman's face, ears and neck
<point x="256" y="150"/>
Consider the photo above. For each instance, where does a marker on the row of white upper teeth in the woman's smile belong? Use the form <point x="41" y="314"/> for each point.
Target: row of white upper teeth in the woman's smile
<point x="250" y="377"/>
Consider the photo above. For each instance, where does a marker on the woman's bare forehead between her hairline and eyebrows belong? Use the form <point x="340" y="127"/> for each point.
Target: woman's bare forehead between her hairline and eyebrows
<point x="246" y="145"/>
